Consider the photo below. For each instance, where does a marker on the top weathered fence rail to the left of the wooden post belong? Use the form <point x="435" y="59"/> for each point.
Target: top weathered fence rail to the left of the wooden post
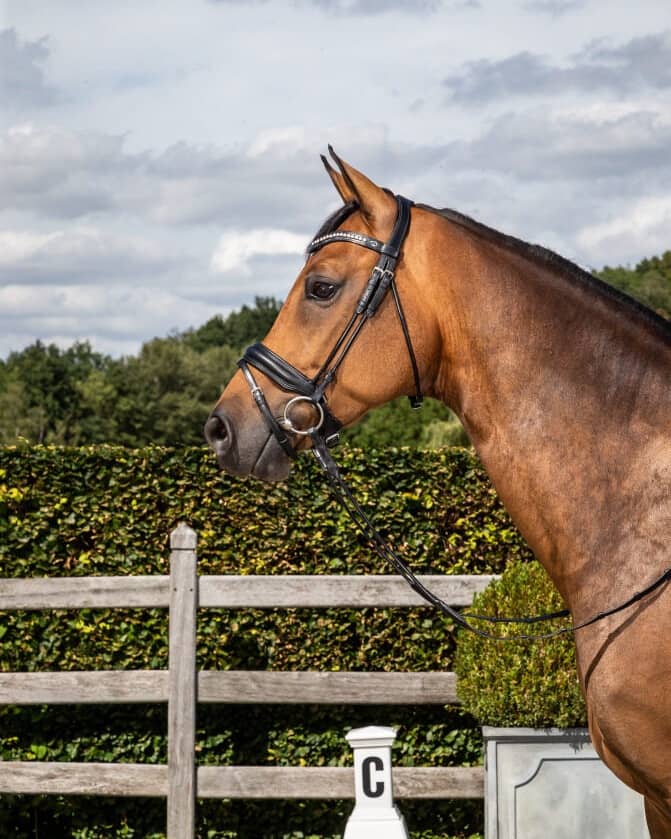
<point x="85" y="592"/>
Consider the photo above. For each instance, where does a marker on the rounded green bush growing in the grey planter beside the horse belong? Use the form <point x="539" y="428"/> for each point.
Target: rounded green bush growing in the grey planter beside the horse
<point x="520" y="683"/>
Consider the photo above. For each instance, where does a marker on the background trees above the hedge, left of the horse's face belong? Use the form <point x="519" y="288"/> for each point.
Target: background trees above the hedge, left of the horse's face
<point x="77" y="396"/>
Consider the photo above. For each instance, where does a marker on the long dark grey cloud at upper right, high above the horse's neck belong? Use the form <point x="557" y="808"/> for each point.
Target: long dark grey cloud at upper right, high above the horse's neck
<point x="641" y="63"/>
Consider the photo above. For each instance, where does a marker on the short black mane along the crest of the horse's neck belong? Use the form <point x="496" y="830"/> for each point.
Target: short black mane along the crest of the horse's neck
<point x="549" y="259"/>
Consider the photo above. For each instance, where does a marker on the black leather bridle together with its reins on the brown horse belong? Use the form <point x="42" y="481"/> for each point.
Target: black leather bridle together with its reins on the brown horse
<point x="325" y="431"/>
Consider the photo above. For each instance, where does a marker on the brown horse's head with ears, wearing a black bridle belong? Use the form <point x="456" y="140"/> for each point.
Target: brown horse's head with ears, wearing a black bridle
<point x="353" y="333"/>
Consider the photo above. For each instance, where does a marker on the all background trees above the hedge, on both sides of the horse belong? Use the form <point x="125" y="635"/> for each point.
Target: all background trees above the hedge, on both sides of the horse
<point x="77" y="396"/>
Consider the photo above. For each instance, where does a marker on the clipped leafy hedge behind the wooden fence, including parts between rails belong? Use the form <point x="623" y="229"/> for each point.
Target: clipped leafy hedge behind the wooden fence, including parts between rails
<point x="109" y="510"/>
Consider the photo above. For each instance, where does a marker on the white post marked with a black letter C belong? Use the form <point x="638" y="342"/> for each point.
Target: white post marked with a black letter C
<point x="375" y="816"/>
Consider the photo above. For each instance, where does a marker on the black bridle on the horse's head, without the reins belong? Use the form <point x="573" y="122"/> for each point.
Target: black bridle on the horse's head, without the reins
<point x="312" y="391"/>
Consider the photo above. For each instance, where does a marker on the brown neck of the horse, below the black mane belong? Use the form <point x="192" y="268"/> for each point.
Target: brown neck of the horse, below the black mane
<point x="564" y="391"/>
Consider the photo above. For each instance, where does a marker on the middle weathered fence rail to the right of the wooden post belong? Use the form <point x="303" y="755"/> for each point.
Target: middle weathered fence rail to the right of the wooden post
<point x="327" y="688"/>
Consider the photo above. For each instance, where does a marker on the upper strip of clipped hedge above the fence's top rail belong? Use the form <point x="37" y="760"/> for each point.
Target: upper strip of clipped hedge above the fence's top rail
<point x="98" y="509"/>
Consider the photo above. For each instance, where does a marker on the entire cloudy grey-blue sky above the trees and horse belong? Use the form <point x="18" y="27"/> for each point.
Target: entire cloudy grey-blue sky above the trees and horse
<point x="159" y="159"/>
